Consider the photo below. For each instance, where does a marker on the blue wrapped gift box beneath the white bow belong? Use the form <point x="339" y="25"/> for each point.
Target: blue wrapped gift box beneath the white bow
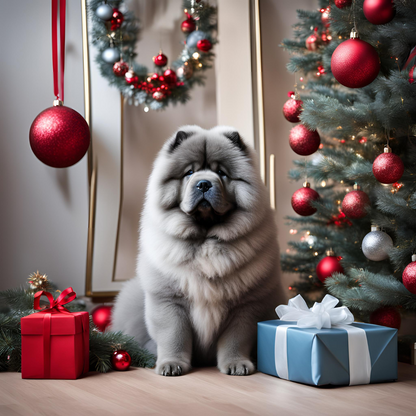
<point x="321" y="356"/>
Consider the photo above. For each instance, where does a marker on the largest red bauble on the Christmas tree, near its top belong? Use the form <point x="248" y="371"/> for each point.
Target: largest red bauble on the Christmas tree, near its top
<point x="355" y="63"/>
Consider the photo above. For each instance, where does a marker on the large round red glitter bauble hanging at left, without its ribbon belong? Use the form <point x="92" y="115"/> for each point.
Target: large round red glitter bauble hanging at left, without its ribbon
<point x="59" y="136"/>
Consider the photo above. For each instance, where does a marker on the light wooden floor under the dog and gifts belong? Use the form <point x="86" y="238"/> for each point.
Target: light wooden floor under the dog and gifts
<point x="202" y="392"/>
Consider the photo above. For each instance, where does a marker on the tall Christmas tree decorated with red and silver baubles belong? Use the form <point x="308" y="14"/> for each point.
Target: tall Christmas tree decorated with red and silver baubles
<point x="355" y="99"/>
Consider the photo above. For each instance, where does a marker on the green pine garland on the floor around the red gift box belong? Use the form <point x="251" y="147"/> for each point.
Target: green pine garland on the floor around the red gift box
<point x="17" y="303"/>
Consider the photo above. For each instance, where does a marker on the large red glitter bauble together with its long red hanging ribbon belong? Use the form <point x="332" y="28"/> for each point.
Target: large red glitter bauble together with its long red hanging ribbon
<point x="59" y="136"/>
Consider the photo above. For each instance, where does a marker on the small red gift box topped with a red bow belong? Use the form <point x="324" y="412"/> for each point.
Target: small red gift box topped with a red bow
<point x="55" y="342"/>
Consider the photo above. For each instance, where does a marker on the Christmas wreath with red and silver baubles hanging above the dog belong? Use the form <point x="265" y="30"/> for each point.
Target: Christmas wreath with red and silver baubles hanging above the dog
<point x="115" y="31"/>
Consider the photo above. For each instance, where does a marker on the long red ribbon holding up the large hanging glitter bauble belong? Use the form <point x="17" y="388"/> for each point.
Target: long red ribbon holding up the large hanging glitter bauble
<point x="58" y="72"/>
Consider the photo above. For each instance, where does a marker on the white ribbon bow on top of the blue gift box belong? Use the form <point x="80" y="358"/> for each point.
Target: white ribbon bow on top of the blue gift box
<point x="321" y="315"/>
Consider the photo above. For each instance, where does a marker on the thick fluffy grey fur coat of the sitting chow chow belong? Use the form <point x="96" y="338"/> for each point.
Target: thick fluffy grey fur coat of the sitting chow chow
<point x="207" y="271"/>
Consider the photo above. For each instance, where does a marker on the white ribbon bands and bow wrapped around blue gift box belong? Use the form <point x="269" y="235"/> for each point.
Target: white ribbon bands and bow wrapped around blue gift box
<point x="323" y="315"/>
